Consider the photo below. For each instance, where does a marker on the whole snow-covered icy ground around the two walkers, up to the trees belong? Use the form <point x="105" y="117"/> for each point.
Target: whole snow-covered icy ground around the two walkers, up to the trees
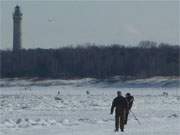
<point x="29" y="107"/>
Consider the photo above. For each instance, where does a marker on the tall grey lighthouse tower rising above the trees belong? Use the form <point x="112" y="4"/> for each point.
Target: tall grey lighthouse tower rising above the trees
<point x="17" y="17"/>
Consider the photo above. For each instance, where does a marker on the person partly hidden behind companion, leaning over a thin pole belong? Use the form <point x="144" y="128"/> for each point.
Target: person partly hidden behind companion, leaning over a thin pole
<point x="130" y="100"/>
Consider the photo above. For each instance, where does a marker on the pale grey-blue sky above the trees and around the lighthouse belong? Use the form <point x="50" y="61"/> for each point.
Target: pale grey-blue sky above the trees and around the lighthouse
<point x="53" y="24"/>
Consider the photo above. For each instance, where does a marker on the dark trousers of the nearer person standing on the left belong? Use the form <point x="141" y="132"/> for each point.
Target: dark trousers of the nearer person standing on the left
<point x="119" y="120"/>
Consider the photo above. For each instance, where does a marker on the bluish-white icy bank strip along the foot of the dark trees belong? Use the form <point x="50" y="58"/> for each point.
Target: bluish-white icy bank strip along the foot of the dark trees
<point x="116" y="81"/>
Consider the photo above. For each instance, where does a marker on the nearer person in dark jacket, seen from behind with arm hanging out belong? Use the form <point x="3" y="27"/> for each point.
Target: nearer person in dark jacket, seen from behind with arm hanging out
<point x="121" y="106"/>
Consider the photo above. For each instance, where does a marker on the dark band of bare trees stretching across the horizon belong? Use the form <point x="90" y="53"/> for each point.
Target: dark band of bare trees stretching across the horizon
<point x="146" y="60"/>
